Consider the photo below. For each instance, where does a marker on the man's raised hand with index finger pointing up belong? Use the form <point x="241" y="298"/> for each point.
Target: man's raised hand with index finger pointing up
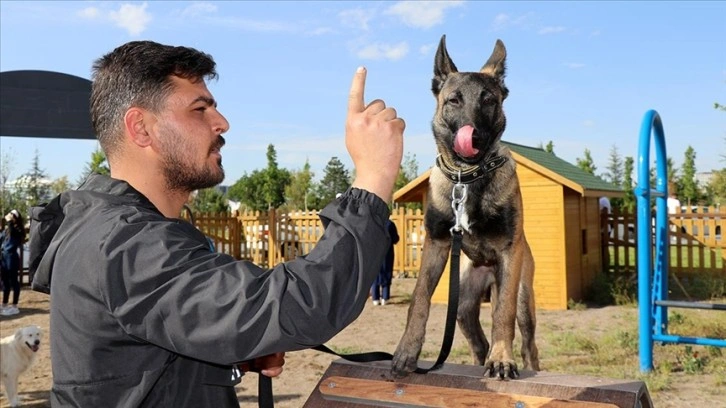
<point x="374" y="139"/>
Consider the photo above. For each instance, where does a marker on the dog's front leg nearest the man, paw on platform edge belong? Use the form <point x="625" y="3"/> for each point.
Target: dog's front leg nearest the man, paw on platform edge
<point x="435" y="255"/>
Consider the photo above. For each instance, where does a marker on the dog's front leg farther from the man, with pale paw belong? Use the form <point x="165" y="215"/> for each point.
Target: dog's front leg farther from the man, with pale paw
<point x="501" y="359"/>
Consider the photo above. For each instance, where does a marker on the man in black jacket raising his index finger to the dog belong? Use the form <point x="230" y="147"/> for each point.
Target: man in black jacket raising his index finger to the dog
<point x="142" y="312"/>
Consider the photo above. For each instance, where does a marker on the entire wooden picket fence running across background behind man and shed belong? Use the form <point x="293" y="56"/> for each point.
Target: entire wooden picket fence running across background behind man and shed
<point x="697" y="243"/>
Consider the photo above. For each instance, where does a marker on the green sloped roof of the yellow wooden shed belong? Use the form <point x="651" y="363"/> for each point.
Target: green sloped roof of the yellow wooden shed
<point x="538" y="160"/>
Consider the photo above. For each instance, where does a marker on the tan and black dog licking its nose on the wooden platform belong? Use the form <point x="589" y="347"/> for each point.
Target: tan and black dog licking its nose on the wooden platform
<point x="467" y="125"/>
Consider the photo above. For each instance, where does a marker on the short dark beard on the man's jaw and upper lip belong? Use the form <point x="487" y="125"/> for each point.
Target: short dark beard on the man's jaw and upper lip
<point x="181" y="176"/>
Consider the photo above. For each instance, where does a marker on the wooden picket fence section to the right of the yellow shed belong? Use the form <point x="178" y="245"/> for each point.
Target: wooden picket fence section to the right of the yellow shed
<point x="697" y="244"/>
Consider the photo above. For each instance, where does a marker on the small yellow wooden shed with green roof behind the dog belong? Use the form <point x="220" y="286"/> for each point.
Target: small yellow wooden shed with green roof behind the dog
<point x="561" y="222"/>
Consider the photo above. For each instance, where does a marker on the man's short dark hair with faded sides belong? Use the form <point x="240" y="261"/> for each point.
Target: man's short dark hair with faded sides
<point x="138" y="74"/>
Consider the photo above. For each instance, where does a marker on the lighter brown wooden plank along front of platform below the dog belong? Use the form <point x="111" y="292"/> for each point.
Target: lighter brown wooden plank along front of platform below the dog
<point x="392" y="394"/>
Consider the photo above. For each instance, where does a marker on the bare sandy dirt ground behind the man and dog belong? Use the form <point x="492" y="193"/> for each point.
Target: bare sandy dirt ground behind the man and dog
<point x="379" y="328"/>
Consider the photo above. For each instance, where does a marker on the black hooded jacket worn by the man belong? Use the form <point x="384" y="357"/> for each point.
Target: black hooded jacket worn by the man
<point x="144" y="314"/>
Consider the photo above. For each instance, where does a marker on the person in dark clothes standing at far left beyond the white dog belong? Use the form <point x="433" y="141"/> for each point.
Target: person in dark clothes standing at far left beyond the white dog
<point x="12" y="243"/>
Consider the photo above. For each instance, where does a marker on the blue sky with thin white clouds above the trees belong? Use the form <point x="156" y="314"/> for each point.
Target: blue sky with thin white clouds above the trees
<point x="580" y="74"/>
